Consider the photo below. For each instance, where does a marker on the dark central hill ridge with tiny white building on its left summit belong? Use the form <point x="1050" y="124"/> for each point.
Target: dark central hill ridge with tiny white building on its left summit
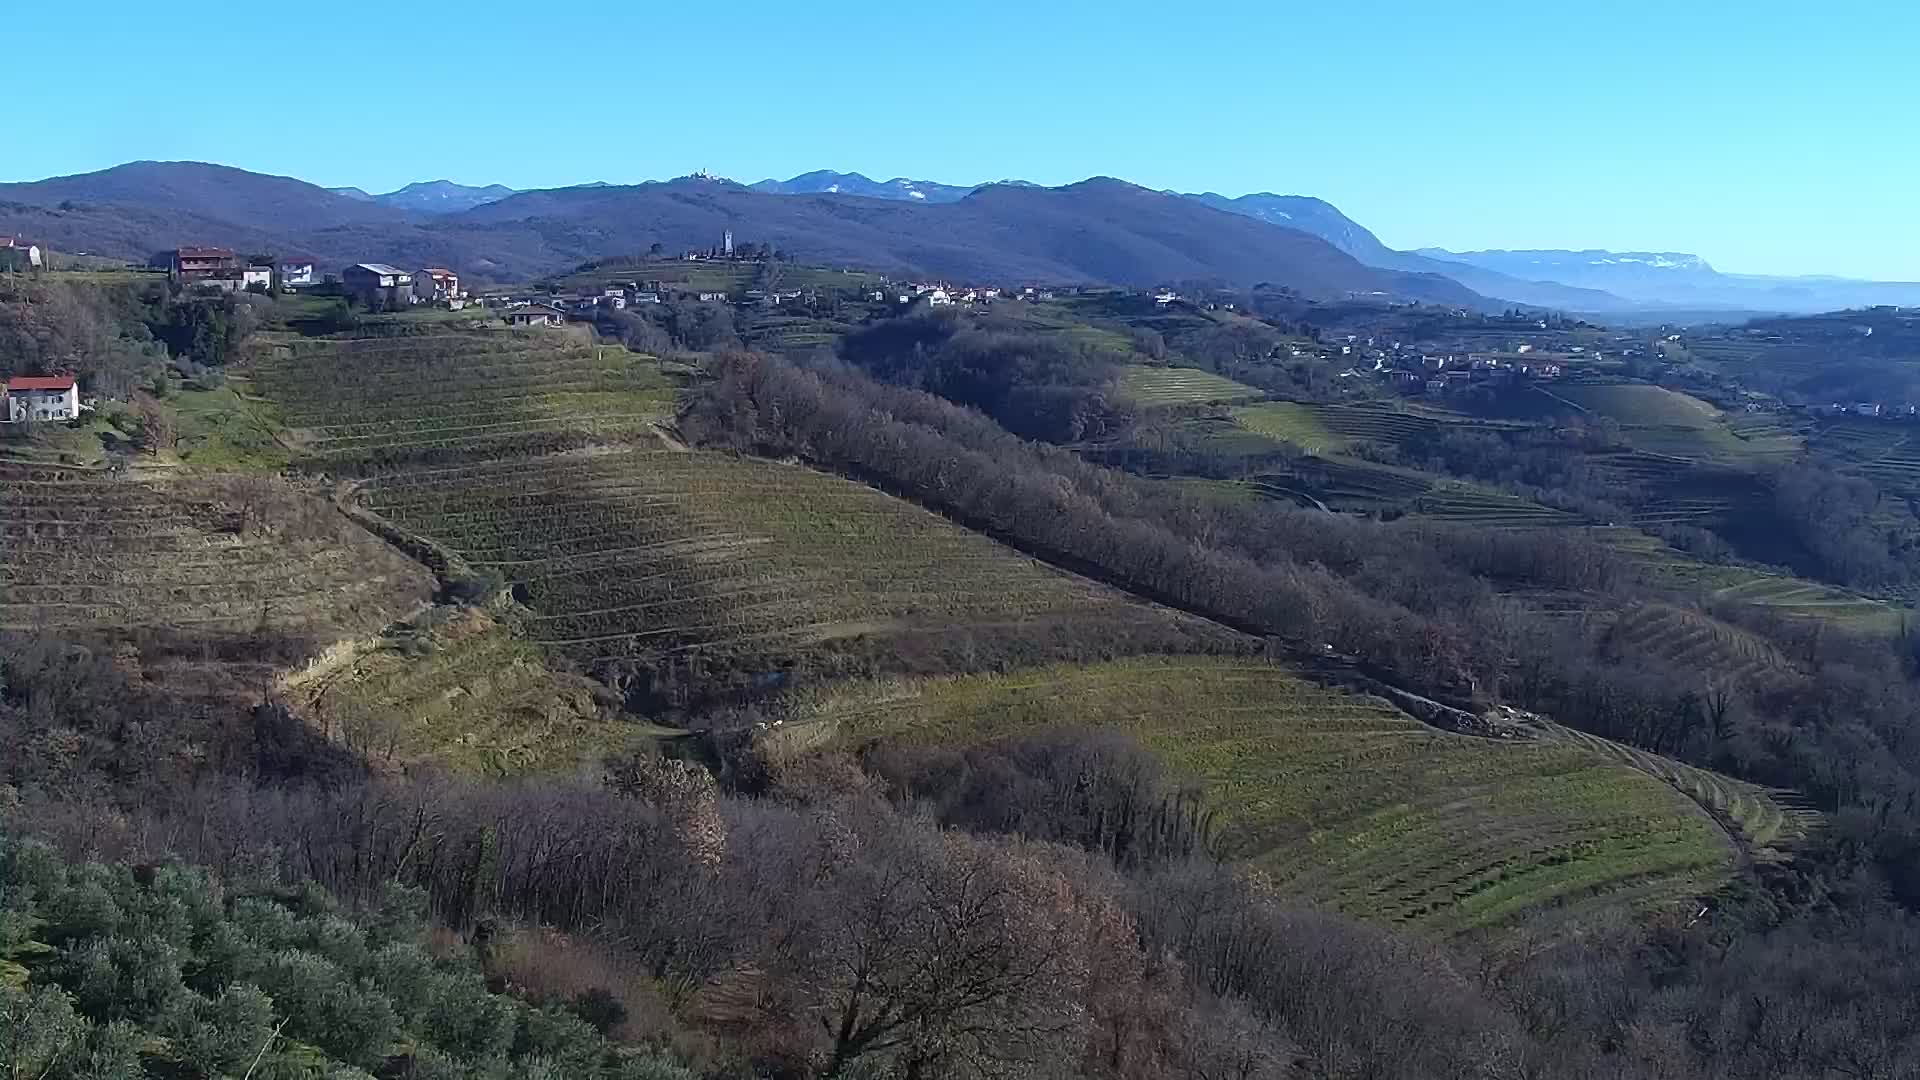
<point x="1095" y="232"/>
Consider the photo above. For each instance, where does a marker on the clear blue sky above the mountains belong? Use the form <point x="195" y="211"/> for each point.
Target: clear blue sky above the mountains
<point x="1769" y="137"/>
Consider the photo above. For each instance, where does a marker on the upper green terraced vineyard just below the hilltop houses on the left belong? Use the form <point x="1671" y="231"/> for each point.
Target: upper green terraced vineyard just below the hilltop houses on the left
<point x="385" y="401"/>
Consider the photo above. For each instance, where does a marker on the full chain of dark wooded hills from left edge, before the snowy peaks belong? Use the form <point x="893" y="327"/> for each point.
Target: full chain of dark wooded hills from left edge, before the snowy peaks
<point x="1097" y="232"/>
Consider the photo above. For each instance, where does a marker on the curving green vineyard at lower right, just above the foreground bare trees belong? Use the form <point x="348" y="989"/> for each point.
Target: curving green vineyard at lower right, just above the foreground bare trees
<point x="1339" y="798"/>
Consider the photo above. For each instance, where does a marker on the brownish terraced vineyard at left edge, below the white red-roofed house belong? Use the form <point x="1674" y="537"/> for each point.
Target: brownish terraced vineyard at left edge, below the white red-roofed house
<point x="99" y="552"/>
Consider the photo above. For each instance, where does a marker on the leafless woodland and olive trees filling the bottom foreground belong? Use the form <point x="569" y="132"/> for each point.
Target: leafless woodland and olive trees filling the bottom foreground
<point x="1034" y="906"/>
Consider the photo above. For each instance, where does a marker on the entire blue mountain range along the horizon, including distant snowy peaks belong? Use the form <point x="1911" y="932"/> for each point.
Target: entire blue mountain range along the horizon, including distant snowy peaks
<point x="1093" y="232"/>
